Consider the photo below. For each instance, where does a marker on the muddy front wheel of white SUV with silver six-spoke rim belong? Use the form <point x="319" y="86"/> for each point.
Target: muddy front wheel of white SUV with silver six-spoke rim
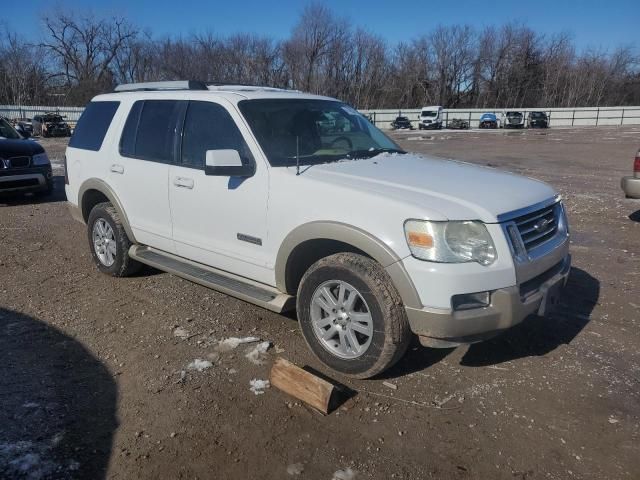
<point x="377" y="297"/>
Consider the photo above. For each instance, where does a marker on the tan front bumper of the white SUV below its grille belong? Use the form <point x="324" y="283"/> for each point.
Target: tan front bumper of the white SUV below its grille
<point x="509" y="306"/>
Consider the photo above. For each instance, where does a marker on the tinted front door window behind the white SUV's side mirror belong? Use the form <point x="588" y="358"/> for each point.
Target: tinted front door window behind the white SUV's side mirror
<point x="209" y="126"/>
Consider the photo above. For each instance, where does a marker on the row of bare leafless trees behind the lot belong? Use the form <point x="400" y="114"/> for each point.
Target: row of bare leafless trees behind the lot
<point x="456" y="66"/>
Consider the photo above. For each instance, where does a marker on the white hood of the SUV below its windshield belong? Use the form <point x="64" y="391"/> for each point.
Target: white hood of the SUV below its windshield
<point x="443" y="189"/>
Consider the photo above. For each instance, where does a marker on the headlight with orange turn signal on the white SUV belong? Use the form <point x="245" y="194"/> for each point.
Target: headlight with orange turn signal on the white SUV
<point x="450" y="242"/>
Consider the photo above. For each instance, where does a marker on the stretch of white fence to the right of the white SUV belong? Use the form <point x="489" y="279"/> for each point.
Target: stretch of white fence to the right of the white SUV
<point x="558" y="117"/>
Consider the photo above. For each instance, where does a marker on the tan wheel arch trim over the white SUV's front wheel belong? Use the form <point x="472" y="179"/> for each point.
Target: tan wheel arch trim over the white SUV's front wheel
<point x="309" y="242"/>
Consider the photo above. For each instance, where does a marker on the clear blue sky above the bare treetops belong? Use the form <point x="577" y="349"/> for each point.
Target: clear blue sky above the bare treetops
<point x="598" y="24"/>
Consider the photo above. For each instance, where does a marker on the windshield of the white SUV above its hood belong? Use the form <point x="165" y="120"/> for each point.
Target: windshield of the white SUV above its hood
<point x="315" y="131"/>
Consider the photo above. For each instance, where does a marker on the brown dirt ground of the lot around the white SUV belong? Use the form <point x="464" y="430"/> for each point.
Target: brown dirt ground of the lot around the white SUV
<point x="91" y="381"/>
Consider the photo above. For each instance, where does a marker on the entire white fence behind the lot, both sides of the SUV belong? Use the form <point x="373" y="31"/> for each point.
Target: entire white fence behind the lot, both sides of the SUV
<point x="558" y="117"/>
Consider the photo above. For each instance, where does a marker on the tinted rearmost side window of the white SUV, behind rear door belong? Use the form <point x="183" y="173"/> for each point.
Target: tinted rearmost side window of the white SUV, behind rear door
<point x="93" y="125"/>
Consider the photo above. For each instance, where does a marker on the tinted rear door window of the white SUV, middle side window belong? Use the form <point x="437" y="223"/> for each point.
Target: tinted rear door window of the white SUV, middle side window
<point x="149" y="132"/>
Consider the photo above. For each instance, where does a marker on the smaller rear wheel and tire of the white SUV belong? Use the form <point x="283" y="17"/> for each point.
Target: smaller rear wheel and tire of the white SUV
<point x="117" y="264"/>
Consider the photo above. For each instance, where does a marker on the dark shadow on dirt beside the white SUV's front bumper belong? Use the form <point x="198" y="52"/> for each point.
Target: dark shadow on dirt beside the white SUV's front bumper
<point x="540" y="335"/>
